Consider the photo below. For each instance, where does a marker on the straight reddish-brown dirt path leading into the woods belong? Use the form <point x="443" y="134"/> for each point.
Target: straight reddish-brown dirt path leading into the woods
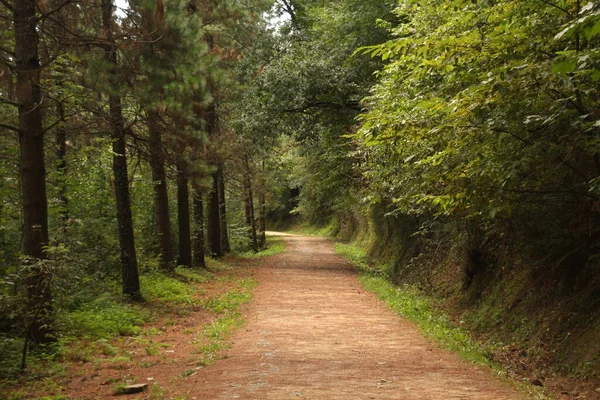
<point x="314" y="333"/>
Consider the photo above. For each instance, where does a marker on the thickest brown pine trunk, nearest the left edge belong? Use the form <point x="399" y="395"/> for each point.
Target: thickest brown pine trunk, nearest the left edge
<point x="33" y="171"/>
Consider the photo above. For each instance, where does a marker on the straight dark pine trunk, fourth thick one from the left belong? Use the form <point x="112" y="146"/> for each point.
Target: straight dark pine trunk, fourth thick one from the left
<point x="183" y="215"/>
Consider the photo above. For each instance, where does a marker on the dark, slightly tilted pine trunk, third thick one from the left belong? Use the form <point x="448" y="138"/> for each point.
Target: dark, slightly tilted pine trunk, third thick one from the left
<point x="161" y="196"/>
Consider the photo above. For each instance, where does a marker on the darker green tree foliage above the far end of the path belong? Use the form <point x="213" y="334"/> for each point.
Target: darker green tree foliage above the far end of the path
<point x="303" y="81"/>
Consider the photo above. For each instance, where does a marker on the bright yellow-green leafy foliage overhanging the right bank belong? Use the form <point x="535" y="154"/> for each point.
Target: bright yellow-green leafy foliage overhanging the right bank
<point x="475" y="117"/>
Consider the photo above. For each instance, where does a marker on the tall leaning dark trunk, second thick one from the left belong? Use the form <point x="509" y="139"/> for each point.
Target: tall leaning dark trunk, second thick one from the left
<point x="129" y="270"/>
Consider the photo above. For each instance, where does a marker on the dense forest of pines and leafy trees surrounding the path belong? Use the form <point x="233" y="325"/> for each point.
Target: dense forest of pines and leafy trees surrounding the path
<point x="456" y="140"/>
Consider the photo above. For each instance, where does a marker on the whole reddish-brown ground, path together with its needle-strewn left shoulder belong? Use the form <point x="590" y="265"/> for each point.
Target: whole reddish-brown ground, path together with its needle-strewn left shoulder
<point x="311" y="331"/>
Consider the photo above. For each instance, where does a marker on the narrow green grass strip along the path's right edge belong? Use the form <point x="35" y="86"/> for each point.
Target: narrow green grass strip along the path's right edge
<point x="420" y="309"/>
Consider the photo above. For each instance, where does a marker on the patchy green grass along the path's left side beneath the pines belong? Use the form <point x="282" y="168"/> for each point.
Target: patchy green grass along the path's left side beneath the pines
<point x="90" y="324"/>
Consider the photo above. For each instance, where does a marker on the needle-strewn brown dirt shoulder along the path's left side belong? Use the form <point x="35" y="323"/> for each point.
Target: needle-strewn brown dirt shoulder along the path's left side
<point x="164" y="357"/>
